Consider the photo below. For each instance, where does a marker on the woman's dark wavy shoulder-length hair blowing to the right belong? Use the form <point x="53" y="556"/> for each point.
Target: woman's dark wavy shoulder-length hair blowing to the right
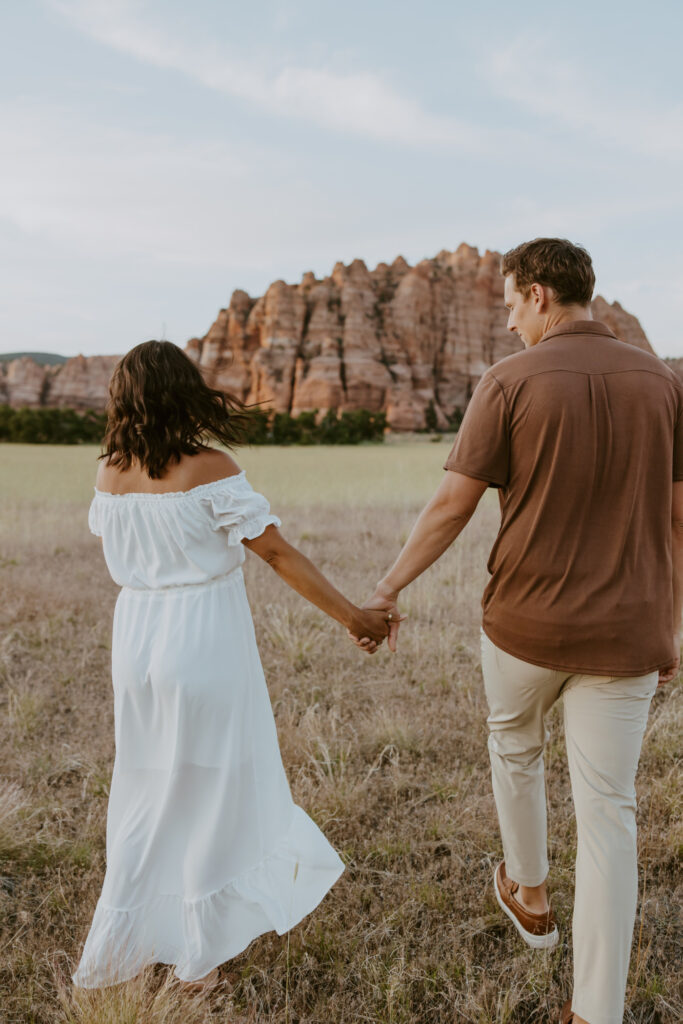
<point x="160" y="409"/>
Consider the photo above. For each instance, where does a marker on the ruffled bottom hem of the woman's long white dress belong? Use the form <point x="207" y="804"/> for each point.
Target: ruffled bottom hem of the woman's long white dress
<point x="197" y="935"/>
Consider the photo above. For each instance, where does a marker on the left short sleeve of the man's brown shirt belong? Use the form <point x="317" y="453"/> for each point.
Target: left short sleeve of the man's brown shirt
<point x="483" y="446"/>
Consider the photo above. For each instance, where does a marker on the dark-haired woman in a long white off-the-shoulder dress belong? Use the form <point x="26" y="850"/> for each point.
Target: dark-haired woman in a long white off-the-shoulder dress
<point x="205" y="848"/>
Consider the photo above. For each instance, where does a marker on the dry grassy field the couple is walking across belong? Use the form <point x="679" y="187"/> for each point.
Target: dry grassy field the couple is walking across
<point x="389" y="755"/>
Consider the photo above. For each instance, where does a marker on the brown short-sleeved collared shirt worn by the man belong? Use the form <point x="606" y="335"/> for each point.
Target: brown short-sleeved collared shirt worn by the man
<point x="584" y="436"/>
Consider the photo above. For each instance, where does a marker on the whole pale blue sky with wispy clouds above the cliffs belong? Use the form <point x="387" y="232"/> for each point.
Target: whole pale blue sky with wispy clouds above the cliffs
<point x="155" y="155"/>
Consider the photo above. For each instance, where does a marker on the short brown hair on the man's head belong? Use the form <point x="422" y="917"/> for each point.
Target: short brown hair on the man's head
<point x="557" y="264"/>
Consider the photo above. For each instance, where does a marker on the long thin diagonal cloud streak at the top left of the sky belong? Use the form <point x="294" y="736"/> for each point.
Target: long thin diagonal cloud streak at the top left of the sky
<point x="359" y="103"/>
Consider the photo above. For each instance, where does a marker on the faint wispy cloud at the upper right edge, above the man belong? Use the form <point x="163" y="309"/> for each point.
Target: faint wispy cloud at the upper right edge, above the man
<point x="542" y="80"/>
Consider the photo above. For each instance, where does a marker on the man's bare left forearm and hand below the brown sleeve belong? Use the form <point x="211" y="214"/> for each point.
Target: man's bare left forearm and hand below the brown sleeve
<point x="437" y="528"/>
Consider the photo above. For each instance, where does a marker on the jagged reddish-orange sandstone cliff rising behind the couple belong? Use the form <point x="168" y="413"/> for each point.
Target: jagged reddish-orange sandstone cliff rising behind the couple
<point x="397" y="338"/>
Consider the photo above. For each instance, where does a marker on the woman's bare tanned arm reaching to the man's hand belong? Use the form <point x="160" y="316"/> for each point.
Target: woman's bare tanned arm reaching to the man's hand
<point x="301" y="574"/>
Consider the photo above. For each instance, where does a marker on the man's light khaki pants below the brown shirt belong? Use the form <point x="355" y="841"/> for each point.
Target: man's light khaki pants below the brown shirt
<point x="605" y="722"/>
